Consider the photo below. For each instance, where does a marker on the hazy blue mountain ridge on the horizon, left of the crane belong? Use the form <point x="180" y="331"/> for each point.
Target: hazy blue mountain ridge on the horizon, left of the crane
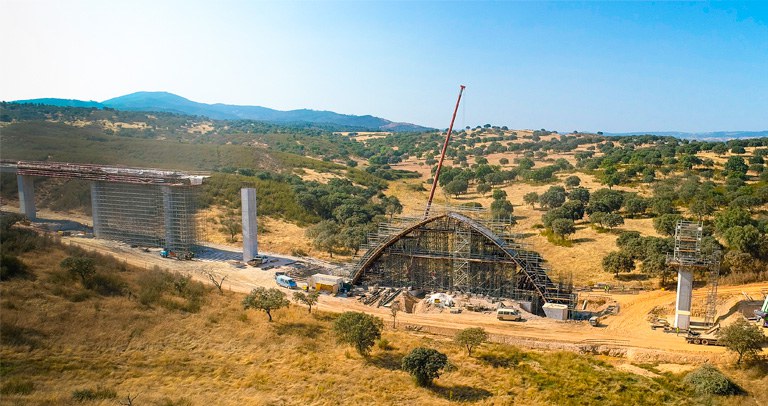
<point x="171" y="103"/>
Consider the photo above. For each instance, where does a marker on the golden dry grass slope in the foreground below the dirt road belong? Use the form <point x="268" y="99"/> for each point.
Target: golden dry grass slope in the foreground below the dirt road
<point x="58" y="343"/>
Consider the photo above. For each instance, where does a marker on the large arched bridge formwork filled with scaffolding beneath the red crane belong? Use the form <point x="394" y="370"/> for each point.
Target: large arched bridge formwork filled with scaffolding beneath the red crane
<point x="453" y="252"/>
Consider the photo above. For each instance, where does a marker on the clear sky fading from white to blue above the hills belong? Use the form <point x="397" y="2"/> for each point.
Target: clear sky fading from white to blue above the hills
<point x="586" y="66"/>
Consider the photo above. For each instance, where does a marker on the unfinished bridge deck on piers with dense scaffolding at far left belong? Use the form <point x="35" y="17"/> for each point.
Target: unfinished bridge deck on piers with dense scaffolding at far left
<point x="140" y="206"/>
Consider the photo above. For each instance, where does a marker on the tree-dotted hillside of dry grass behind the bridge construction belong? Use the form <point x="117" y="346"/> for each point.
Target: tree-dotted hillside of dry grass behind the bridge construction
<point x="308" y="177"/>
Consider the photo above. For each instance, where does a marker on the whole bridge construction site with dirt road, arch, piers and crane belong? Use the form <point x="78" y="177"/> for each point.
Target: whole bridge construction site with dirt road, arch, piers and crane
<point x="454" y="266"/>
